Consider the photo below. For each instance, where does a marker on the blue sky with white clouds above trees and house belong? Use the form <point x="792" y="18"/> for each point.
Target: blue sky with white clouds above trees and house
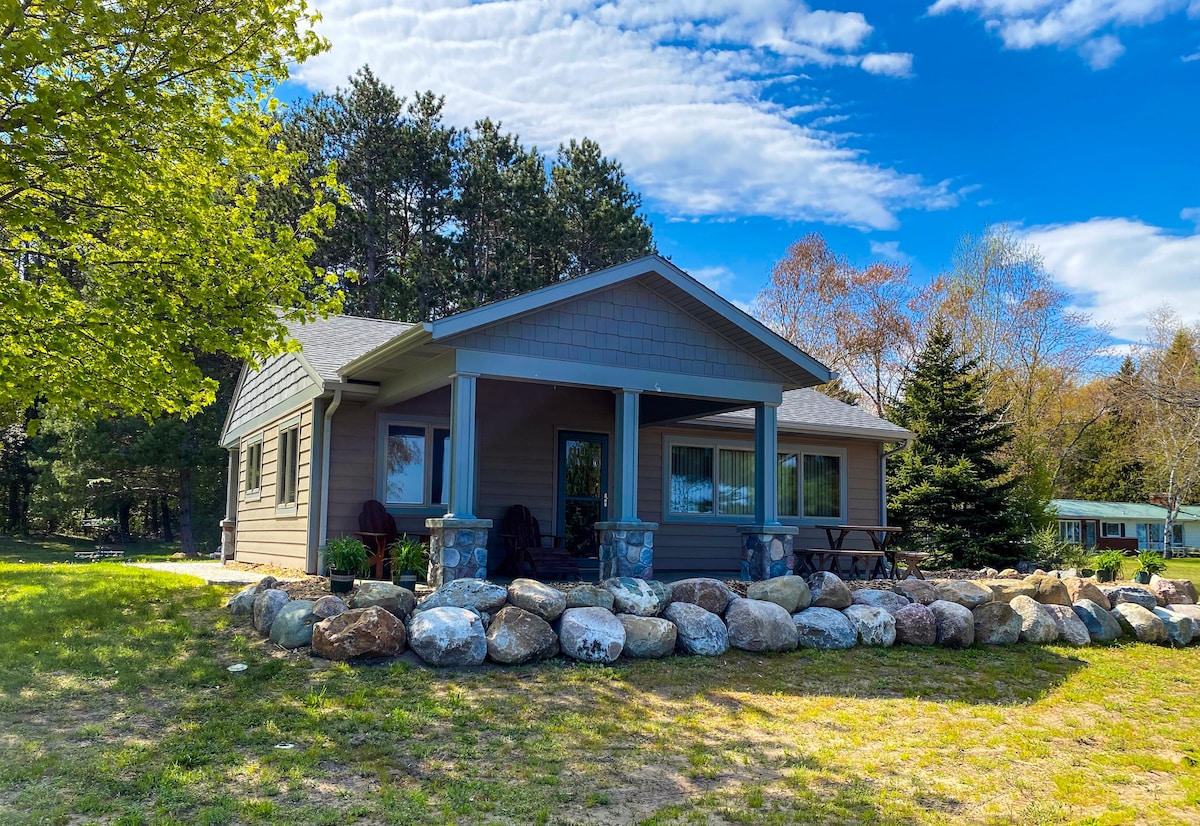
<point x="892" y="128"/>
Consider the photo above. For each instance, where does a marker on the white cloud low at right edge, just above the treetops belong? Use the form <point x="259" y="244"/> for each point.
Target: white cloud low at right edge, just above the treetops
<point x="1120" y="271"/>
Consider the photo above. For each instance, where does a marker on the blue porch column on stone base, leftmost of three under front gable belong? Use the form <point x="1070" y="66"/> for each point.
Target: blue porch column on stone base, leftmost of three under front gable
<point x="459" y="541"/>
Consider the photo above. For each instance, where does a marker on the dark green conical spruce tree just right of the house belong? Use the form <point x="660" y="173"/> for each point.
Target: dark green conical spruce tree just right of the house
<point x="950" y="490"/>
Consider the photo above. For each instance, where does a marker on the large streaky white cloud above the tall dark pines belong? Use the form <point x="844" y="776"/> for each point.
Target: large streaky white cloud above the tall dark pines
<point x="675" y="91"/>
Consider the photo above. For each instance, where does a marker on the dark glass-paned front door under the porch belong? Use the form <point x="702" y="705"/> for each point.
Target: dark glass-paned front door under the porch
<point x="583" y="489"/>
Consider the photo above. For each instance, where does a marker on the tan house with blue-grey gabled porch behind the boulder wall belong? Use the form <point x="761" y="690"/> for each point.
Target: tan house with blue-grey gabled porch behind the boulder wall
<point x="632" y="410"/>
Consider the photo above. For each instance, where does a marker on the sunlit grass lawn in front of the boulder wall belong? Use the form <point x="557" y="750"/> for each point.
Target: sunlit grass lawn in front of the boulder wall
<point x="117" y="708"/>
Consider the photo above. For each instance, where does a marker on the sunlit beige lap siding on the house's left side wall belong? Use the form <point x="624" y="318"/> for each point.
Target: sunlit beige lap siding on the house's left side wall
<point x="266" y="534"/>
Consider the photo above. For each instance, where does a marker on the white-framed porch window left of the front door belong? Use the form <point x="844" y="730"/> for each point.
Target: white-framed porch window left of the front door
<point x="417" y="465"/>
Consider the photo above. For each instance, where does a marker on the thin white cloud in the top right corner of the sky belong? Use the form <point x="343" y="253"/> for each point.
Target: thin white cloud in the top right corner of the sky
<point x="1085" y="26"/>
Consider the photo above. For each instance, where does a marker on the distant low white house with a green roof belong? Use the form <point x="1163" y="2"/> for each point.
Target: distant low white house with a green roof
<point x="1125" y="526"/>
